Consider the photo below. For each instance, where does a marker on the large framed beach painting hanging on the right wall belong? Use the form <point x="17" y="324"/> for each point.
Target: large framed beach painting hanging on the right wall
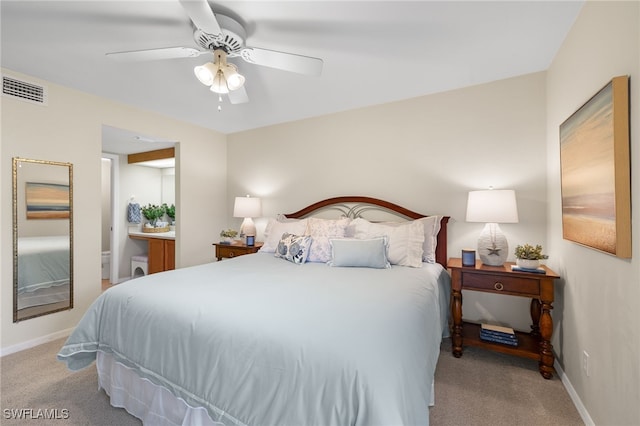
<point x="596" y="172"/>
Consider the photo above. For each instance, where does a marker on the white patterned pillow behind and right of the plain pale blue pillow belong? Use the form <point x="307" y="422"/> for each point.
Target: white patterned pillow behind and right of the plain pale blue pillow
<point x="405" y="239"/>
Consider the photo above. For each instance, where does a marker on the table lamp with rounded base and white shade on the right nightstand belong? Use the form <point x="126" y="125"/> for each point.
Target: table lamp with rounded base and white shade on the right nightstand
<point x="492" y="207"/>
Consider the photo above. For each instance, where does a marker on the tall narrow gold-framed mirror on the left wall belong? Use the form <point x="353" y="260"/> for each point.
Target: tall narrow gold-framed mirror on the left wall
<point x="42" y="237"/>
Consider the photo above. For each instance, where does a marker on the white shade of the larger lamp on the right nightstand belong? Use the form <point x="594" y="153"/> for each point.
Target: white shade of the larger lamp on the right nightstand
<point x="492" y="206"/>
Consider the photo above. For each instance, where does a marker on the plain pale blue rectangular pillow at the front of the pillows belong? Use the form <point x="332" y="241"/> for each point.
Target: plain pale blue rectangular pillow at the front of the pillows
<point x="369" y="253"/>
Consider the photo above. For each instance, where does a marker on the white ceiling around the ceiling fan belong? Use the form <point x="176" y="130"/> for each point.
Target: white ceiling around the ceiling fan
<point x="373" y="51"/>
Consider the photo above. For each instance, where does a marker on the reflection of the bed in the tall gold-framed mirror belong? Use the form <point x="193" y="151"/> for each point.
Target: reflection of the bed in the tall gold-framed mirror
<point x="43" y="270"/>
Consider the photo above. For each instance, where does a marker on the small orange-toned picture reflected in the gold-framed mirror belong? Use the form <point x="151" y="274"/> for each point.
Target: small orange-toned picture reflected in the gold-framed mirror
<point x="47" y="200"/>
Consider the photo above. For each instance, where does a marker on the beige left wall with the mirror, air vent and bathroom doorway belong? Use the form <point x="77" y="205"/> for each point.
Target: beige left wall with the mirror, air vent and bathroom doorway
<point x="69" y="129"/>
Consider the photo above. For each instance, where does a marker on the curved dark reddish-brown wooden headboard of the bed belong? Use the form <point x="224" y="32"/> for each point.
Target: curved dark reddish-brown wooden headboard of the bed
<point x="354" y="206"/>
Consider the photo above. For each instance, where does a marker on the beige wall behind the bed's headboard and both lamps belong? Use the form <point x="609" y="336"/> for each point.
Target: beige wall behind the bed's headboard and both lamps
<point x="424" y="153"/>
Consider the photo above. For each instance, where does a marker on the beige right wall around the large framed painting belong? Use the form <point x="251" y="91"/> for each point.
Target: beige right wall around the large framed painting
<point x="599" y="293"/>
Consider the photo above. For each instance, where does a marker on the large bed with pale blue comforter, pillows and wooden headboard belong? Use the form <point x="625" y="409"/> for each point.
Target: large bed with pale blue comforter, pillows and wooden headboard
<point x="274" y="339"/>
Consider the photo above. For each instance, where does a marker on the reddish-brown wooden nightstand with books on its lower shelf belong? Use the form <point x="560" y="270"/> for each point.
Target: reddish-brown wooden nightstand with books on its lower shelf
<point x="502" y="280"/>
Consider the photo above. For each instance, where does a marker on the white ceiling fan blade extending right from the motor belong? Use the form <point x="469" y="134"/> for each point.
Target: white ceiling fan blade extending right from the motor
<point x="283" y="61"/>
